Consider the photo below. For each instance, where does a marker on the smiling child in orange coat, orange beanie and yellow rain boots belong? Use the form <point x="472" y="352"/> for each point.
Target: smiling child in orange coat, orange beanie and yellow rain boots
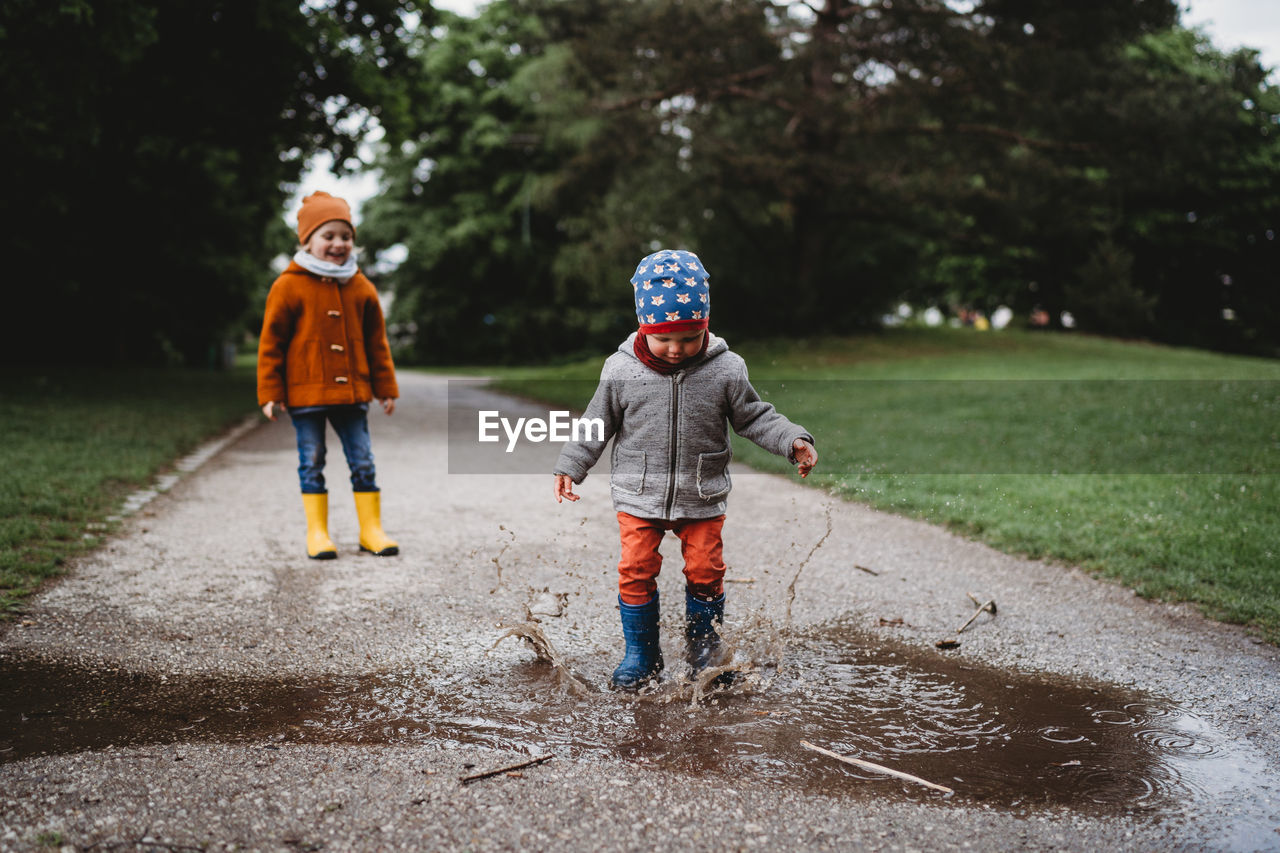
<point x="323" y="355"/>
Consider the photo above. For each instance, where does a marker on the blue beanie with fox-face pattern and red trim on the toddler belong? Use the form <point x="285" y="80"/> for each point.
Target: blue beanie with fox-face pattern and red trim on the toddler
<point x="671" y="293"/>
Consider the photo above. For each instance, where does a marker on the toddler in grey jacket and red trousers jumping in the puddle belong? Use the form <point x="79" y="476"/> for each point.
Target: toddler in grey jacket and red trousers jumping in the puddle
<point x="668" y="399"/>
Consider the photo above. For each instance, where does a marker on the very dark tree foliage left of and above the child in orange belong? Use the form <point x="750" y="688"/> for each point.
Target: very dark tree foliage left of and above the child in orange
<point x="150" y="143"/>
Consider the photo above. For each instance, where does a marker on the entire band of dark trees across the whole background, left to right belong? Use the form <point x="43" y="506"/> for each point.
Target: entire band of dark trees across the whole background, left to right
<point x="828" y="159"/>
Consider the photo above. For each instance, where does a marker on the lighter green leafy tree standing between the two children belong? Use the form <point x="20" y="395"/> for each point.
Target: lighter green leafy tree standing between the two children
<point x="460" y="195"/>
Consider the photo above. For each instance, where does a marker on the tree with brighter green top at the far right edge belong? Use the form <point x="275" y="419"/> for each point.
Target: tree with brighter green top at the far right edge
<point x="1197" y="176"/>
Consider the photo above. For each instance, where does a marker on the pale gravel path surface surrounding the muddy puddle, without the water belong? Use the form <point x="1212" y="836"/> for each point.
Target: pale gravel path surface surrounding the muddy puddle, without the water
<point x="208" y="583"/>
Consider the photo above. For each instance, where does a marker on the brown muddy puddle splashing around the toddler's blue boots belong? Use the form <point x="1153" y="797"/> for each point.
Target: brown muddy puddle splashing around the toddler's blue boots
<point x="1004" y="738"/>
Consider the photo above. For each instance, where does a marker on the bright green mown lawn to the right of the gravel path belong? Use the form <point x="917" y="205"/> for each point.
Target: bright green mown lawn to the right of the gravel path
<point x="1155" y="467"/>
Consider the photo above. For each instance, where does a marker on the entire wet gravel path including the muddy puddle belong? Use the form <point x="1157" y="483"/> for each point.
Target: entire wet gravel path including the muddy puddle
<point x="202" y="685"/>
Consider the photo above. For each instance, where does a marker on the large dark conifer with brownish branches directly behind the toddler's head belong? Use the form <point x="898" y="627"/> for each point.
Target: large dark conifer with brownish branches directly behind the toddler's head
<point x="730" y="129"/>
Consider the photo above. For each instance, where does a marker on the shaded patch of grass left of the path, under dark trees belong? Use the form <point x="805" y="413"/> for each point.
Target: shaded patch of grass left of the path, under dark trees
<point x="75" y="443"/>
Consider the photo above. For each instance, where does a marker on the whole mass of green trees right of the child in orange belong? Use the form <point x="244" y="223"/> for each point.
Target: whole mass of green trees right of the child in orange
<point x="831" y="159"/>
